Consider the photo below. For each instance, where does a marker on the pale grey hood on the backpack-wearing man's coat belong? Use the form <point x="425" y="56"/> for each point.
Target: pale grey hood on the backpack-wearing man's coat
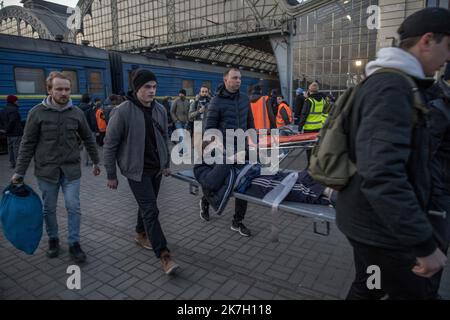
<point x="396" y="58"/>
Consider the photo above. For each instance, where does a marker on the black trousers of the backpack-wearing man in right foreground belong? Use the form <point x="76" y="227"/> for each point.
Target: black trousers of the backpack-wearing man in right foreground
<point x="397" y="279"/>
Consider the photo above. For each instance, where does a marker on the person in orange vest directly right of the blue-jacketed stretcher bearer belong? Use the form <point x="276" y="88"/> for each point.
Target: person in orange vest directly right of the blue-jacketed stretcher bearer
<point x="262" y="112"/>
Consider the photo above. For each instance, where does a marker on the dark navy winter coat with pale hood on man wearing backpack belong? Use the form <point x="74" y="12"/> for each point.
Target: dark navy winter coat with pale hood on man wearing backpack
<point x="385" y="203"/>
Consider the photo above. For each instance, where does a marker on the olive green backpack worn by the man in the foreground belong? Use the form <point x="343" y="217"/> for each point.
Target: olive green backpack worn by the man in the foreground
<point x="330" y="163"/>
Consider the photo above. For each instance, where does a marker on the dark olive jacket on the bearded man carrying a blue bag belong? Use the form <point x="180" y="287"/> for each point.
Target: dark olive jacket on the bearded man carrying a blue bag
<point x="52" y="136"/>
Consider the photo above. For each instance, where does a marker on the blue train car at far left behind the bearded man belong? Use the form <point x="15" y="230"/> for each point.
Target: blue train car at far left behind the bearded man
<point x="25" y="63"/>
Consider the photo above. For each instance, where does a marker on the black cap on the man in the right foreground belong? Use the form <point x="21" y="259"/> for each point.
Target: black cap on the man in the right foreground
<point x="435" y="20"/>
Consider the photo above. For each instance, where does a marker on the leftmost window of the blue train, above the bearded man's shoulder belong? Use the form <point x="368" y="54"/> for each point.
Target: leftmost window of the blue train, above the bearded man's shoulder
<point x="30" y="80"/>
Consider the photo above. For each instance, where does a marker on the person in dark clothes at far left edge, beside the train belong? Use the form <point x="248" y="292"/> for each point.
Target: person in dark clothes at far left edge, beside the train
<point x="13" y="128"/>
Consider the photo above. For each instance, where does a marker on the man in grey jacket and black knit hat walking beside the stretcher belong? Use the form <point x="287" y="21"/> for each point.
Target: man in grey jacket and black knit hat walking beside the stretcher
<point x="137" y="139"/>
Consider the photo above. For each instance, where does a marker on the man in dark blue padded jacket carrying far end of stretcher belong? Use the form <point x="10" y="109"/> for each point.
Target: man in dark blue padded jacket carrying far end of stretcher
<point x="230" y="109"/>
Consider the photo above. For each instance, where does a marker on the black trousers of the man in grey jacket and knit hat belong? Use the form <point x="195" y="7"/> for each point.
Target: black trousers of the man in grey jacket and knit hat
<point x="146" y="193"/>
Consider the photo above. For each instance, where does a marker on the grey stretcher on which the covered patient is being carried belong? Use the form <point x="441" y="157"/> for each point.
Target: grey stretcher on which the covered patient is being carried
<point x="322" y="215"/>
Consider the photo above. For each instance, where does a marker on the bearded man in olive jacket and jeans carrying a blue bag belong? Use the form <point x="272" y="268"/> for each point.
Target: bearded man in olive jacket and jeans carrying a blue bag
<point x="51" y="136"/>
